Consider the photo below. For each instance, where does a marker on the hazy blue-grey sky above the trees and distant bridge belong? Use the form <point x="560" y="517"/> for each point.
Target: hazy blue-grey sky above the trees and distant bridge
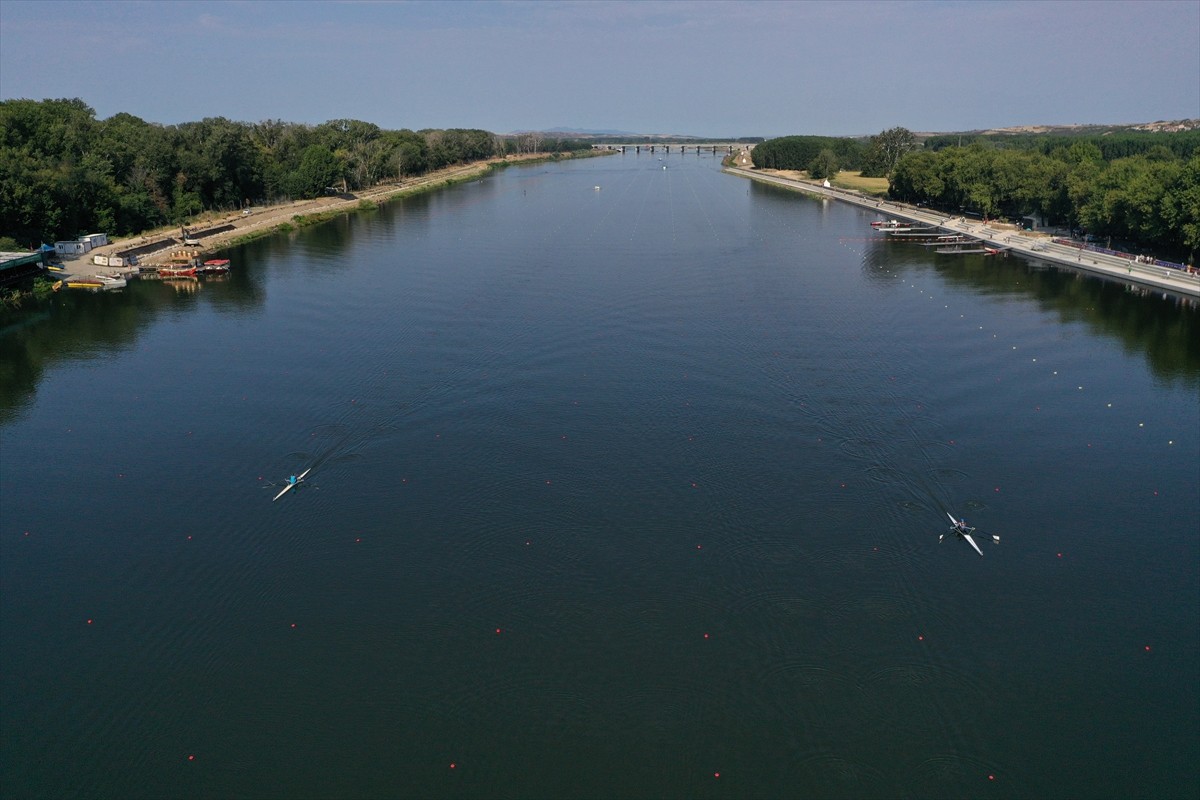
<point x="710" y="69"/>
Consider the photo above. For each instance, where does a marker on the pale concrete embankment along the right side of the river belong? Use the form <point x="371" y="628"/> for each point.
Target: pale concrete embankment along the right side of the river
<point x="1024" y="244"/>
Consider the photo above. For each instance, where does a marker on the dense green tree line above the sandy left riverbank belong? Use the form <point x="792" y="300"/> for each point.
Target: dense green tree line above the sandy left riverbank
<point x="65" y="173"/>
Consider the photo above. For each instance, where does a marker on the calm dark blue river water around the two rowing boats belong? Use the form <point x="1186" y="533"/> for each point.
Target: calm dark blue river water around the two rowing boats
<point x="619" y="492"/>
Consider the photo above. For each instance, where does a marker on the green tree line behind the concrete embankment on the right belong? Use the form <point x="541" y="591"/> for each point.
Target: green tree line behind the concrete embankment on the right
<point x="1138" y="188"/>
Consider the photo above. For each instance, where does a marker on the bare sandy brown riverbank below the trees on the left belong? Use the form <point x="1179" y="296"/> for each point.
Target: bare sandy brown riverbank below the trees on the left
<point x="215" y="231"/>
